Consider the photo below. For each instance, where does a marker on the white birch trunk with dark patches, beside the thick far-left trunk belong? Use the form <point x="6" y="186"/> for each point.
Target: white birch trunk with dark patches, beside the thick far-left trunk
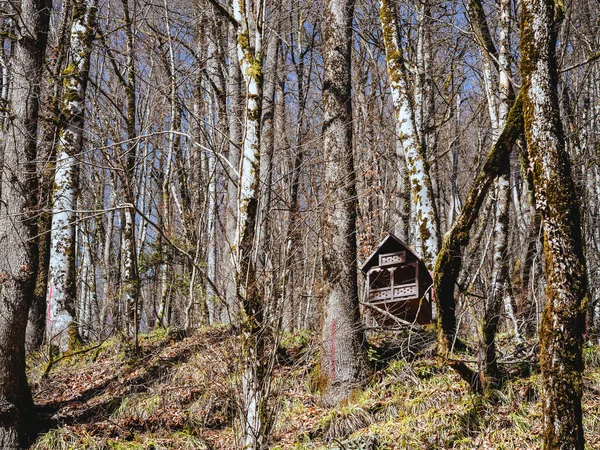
<point x="61" y="327"/>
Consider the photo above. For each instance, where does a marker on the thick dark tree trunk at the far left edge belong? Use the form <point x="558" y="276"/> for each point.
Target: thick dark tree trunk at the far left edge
<point x="18" y="228"/>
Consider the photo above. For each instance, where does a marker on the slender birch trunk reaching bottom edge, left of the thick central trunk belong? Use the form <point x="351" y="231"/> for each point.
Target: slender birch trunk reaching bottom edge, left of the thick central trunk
<point x="255" y="389"/>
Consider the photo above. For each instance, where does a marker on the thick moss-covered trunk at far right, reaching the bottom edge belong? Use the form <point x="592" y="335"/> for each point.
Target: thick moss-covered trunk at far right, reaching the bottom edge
<point x="561" y="331"/>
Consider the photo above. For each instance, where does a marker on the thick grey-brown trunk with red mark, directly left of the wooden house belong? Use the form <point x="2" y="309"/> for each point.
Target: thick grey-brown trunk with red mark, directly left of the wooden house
<point x="343" y="359"/>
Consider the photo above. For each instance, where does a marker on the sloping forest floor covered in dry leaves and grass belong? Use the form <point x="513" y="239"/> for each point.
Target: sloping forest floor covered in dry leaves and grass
<point x="179" y="392"/>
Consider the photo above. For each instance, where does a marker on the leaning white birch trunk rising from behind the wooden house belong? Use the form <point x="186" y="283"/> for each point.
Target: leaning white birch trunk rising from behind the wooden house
<point x="416" y="162"/>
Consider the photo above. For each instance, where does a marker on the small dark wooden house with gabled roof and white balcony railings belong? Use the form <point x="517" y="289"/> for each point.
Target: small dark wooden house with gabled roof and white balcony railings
<point x="398" y="283"/>
